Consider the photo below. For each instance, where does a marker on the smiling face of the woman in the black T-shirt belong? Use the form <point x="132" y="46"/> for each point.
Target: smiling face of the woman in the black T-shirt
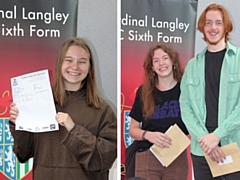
<point x="162" y="64"/>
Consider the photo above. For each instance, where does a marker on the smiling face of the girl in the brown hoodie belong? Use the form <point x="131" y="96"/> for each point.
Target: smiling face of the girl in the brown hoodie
<point x="75" y="67"/>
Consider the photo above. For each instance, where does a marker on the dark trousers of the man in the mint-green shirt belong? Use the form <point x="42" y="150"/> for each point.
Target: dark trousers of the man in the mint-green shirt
<point x="203" y="172"/>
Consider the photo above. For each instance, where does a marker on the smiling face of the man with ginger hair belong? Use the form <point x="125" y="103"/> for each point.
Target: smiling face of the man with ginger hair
<point x="214" y="28"/>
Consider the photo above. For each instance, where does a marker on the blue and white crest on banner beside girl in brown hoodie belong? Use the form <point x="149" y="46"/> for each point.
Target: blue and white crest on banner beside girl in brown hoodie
<point x="9" y="164"/>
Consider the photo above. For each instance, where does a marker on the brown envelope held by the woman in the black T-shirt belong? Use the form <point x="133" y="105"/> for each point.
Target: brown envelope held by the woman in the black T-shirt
<point x="179" y="143"/>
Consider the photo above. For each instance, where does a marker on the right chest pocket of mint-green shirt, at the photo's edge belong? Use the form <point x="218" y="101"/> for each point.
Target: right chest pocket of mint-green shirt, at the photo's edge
<point x="233" y="86"/>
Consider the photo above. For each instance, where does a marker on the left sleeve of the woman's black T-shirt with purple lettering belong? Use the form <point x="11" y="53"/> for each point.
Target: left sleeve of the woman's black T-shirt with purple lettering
<point x="136" y="111"/>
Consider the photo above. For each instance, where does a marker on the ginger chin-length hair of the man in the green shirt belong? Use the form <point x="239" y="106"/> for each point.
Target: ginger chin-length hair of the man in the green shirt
<point x="228" y="26"/>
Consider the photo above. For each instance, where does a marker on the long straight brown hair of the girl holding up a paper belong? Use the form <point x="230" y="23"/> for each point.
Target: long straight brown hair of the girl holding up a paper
<point x="93" y="98"/>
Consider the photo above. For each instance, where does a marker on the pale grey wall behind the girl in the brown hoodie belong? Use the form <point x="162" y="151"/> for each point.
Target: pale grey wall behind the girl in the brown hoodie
<point x="97" y="23"/>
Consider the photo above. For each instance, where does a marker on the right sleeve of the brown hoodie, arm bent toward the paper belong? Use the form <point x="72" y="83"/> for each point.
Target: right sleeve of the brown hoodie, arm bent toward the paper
<point x="95" y="153"/>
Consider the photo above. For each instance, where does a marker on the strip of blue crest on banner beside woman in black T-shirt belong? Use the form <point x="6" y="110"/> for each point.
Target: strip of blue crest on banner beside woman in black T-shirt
<point x="127" y="120"/>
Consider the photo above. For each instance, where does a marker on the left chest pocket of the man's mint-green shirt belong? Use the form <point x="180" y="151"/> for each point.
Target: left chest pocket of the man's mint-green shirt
<point x="193" y="86"/>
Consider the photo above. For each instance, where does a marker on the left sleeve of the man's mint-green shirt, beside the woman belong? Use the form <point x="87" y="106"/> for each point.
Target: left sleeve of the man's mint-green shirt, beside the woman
<point x="195" y="127"/>
